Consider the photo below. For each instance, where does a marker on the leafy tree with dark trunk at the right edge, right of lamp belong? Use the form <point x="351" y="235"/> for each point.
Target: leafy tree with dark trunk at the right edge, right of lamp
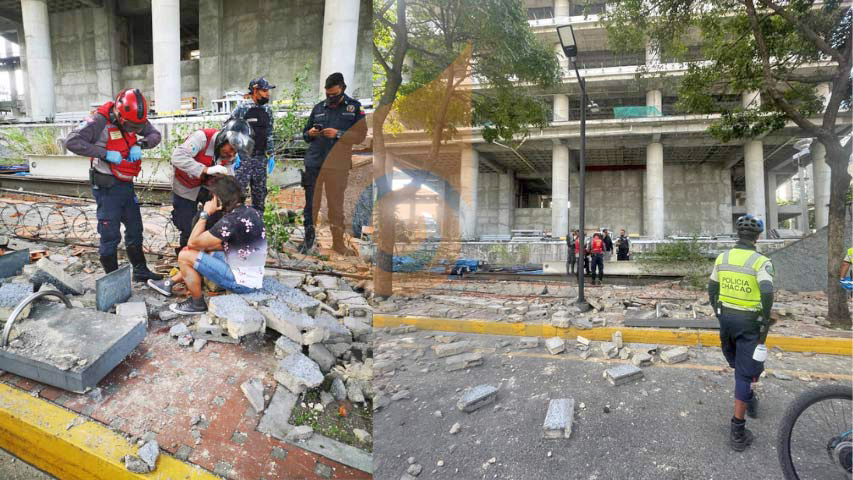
<point x="784" y="50"/>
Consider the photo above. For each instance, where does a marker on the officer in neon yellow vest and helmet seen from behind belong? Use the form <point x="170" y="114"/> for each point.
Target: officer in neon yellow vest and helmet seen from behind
<point x="741" y="292"/>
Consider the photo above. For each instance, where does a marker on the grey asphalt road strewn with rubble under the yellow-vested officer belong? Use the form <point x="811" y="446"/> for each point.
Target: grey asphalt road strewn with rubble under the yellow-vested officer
<point x="672" y="425"/>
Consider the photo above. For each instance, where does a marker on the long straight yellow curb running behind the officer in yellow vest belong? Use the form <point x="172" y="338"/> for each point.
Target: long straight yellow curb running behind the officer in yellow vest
<point x="835" y="346"/>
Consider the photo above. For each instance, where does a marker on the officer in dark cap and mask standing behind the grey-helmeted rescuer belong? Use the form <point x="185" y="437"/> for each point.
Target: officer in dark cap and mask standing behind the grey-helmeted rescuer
<point x="252" y="172"/>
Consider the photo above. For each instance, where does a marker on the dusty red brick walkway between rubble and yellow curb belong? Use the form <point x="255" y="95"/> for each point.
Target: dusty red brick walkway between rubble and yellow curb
<point x="161" y="386"/>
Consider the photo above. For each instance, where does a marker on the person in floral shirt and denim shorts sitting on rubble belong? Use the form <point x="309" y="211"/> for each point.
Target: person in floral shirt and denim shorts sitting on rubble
<point x="231" y="253"/>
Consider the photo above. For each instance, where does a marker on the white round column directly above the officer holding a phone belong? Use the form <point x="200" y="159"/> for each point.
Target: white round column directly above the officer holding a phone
<point x="340" y="37"/>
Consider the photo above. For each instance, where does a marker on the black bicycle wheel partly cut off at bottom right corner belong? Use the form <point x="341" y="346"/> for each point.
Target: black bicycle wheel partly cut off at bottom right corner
<point x="815" y="439"/>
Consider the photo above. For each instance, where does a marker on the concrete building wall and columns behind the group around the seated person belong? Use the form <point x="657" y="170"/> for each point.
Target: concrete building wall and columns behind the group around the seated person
<point x="62" y="56"/>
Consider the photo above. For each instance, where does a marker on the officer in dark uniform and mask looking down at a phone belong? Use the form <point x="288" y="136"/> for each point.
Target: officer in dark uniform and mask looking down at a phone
<point x="335" y="125"/>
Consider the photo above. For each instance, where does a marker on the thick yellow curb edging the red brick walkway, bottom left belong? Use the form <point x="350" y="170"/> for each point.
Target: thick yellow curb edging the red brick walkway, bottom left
<point x="36" y="431"/>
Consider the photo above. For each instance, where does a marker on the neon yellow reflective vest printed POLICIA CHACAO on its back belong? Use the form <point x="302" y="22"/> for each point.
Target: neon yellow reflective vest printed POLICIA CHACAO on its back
<point x="737" y="272"/>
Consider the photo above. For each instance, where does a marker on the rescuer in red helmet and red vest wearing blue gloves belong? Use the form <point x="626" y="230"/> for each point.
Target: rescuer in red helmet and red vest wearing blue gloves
<point x="113" y="137"/>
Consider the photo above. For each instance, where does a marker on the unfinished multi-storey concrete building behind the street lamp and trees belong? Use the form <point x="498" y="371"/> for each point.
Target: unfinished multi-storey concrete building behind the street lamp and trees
<point x="651" y="169"/>
